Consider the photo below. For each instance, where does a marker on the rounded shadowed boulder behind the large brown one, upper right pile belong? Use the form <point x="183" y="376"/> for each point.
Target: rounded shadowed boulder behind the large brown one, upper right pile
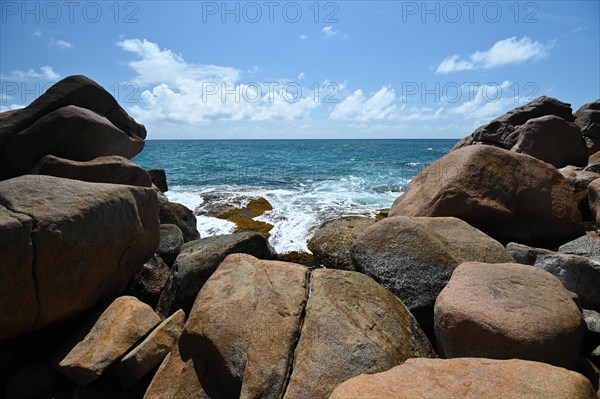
<point x="551" y="139"/>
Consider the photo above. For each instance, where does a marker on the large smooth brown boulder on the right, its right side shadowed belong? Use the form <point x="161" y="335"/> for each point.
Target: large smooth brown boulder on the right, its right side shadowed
<point x="509" y="196"/>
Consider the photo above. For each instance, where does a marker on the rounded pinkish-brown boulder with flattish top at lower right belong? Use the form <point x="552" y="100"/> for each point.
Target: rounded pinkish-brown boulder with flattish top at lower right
<point x="475" y="315"/>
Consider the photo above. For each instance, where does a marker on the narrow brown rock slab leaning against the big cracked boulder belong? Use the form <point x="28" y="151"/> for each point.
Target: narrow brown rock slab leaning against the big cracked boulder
<point x="148" y="354"/>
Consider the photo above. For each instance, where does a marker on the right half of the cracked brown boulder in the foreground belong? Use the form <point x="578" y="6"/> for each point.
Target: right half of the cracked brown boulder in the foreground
<point x="352" y="326"/>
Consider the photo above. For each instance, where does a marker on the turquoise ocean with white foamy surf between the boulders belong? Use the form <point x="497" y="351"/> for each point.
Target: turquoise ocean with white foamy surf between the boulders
<point x="306" y="181"/>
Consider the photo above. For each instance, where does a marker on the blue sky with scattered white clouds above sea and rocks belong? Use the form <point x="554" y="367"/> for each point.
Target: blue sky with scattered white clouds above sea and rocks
<point x="306" y="69"/>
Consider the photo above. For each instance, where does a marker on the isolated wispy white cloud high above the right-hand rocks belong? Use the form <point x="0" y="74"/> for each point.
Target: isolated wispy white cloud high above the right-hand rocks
<point x="503" y="52"/>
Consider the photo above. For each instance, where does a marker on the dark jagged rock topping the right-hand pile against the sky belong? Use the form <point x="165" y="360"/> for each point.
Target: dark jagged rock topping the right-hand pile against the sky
<point x="501" y="131"/>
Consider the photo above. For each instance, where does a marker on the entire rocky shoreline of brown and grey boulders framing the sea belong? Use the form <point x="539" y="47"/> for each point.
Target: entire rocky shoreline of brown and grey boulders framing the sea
<point x="482" y="281"/>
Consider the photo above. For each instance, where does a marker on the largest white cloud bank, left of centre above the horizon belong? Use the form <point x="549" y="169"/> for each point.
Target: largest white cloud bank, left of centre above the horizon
<point x="182" y="92"/>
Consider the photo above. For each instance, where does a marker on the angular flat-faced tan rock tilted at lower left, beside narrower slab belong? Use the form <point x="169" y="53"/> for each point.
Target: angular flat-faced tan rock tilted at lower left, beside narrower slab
<point x="116" y="331"/>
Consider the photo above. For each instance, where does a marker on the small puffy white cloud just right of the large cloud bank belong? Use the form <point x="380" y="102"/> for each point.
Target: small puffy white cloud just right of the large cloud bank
<point x="380" y="106"/>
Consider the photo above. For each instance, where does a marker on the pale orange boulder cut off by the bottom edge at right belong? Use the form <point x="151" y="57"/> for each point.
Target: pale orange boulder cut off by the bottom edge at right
<point x="468" y="378"/>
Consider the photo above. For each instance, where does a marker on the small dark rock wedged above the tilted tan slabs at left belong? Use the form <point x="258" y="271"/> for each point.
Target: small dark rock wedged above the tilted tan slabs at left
<point x="149" y="282"/>
